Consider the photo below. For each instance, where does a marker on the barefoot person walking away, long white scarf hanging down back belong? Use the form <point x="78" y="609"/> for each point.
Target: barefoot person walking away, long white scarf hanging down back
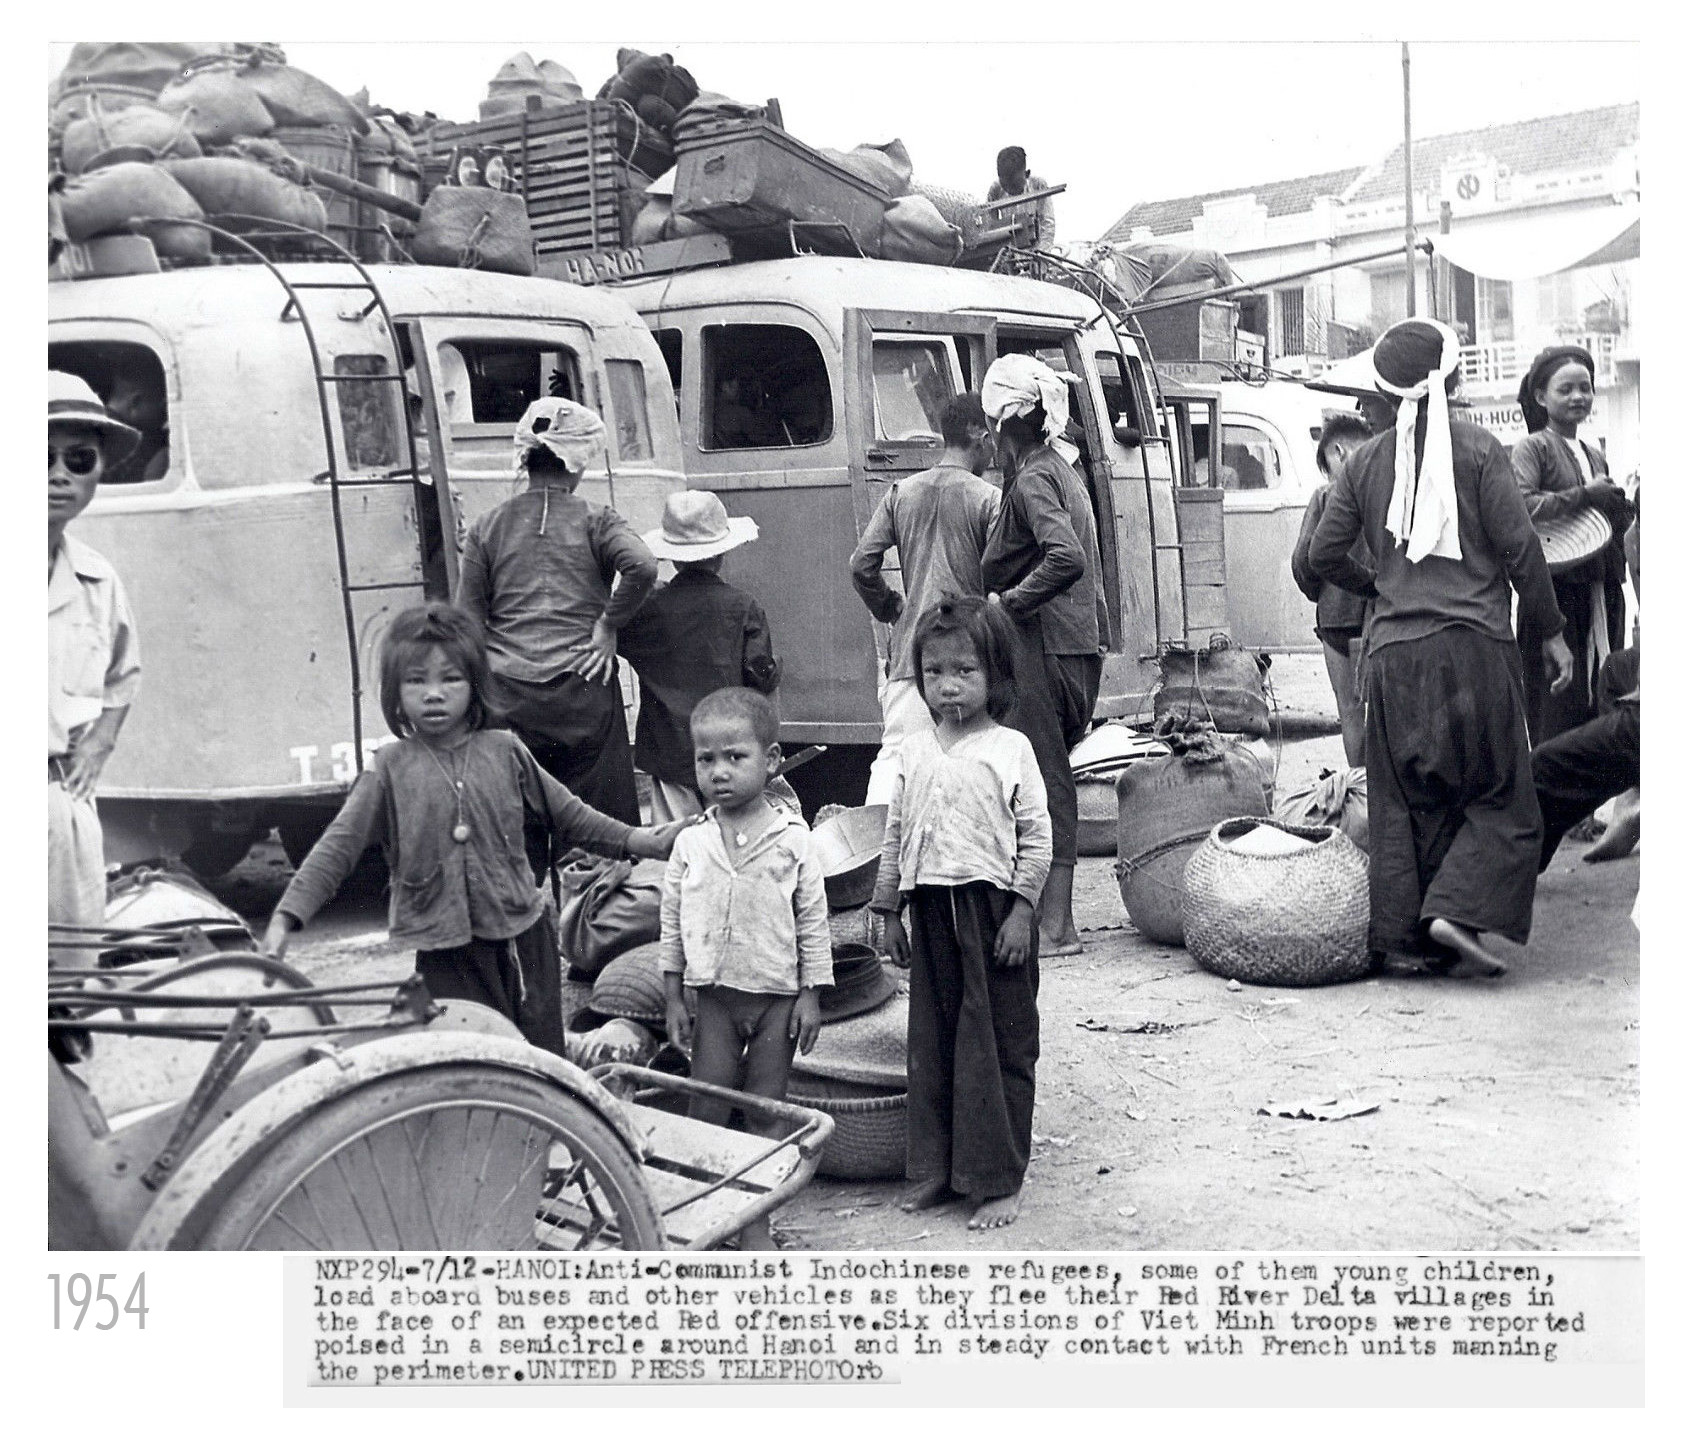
<point x="1456" y="830"/>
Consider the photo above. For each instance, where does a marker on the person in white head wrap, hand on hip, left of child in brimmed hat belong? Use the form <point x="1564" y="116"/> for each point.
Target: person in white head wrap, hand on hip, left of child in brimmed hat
<point x="538" y="573"/>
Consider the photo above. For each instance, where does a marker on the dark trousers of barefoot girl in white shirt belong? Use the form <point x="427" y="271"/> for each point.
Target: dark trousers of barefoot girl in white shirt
<point x="973" y="1044"/>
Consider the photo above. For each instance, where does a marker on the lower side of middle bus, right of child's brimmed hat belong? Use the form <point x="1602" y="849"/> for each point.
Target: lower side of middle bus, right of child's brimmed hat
<point x="799" y="573"/>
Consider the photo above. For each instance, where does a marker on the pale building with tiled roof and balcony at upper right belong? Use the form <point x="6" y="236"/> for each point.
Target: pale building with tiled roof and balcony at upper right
<point x="1537" y="242"/>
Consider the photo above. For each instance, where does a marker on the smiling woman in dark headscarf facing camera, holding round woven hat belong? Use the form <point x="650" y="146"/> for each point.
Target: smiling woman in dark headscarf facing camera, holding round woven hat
<point x="1561" y="475"/>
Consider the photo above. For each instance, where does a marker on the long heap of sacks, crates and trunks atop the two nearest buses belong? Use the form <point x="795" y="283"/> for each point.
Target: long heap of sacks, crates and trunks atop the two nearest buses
<point x="151" y="144"/>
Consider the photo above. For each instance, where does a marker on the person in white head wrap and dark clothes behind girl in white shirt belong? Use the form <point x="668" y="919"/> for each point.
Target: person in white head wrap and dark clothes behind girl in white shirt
<point x="1044" y="567"/>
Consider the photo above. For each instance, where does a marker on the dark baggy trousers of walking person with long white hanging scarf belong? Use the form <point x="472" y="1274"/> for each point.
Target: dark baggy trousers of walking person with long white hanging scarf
<point x="1454" y="825"/>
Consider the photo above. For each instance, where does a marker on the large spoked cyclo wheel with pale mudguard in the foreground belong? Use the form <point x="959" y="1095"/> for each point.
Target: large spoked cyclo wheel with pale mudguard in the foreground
<point x="462" y="1158"/>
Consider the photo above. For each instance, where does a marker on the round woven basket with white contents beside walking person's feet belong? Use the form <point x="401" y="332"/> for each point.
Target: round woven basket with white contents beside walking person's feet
<point x="1292" y="921"/>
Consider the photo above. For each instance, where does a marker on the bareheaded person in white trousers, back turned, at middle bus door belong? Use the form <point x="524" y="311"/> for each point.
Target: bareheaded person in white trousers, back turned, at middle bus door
<point x="938" y="523"/>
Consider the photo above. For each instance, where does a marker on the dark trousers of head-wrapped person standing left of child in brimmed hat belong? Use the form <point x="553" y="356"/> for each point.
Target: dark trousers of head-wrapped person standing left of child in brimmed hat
<point x="580" y="735"/>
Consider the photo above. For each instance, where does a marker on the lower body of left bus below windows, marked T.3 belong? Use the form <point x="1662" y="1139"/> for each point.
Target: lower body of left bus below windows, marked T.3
<point x="246" y="671"/>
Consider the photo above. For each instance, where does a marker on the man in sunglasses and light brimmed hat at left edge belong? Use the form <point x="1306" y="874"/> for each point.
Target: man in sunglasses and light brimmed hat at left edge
<point x="94" y="664"/>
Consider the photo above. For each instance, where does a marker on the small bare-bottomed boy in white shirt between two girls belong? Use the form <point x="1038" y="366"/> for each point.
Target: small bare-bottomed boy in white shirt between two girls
<point x="744" y="919"/>
